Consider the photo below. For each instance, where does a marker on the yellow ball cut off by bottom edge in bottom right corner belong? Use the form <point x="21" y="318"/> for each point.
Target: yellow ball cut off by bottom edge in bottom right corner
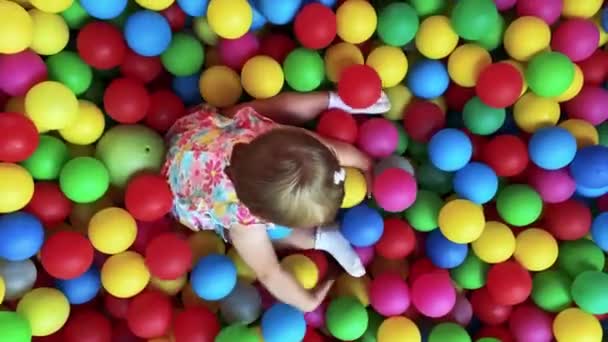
<point x="575" y="325"/>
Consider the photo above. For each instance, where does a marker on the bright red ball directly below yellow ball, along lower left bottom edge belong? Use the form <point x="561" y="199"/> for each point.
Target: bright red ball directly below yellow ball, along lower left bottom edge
<point x="150" y="314"/>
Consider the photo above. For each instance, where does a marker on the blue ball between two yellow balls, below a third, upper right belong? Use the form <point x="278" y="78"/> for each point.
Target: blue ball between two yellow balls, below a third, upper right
<point x="428" y="79"/>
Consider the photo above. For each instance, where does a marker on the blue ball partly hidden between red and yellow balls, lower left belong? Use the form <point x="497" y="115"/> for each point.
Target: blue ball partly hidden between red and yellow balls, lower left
<point x="82" y="289"/>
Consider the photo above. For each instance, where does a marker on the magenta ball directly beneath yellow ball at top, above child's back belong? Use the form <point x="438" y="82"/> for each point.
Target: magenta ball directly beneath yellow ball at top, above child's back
<point x="235" y="52"/>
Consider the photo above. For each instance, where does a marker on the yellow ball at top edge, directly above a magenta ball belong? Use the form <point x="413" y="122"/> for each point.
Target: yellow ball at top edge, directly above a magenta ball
<point x="229" y="19"/>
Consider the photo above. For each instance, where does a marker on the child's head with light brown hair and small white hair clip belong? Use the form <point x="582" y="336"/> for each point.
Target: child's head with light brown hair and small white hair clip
<point x="287" y="177"/>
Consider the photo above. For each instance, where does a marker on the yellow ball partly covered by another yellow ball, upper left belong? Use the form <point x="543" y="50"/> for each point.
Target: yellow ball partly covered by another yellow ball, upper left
<point x="87" y="127"/>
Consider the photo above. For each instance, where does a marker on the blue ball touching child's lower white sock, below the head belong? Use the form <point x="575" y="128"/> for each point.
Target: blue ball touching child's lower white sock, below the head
<point x="362" y="226"/>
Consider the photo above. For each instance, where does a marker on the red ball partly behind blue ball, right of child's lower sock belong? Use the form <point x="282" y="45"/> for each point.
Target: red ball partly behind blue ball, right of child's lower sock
<point x="398" y="240"/>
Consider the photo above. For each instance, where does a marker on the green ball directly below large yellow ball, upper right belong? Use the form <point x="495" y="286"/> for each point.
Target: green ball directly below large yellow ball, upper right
<point x="549" y="74"/>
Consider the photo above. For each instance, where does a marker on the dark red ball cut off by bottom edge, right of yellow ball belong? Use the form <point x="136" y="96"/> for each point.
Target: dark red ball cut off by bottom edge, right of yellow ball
<point x="87" y="326"/>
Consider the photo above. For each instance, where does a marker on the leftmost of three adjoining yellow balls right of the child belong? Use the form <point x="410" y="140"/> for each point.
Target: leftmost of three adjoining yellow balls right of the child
<point x="461" y="221"/>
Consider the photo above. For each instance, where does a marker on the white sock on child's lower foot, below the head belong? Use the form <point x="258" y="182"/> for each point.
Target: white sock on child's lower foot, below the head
<point x="330" y="239"/>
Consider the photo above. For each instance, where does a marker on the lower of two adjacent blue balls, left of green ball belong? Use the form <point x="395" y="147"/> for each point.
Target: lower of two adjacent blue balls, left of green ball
<point x="476" y="182"/>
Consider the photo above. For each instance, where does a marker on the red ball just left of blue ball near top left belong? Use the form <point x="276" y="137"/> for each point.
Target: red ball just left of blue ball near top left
<point x="101" y="45"/>
